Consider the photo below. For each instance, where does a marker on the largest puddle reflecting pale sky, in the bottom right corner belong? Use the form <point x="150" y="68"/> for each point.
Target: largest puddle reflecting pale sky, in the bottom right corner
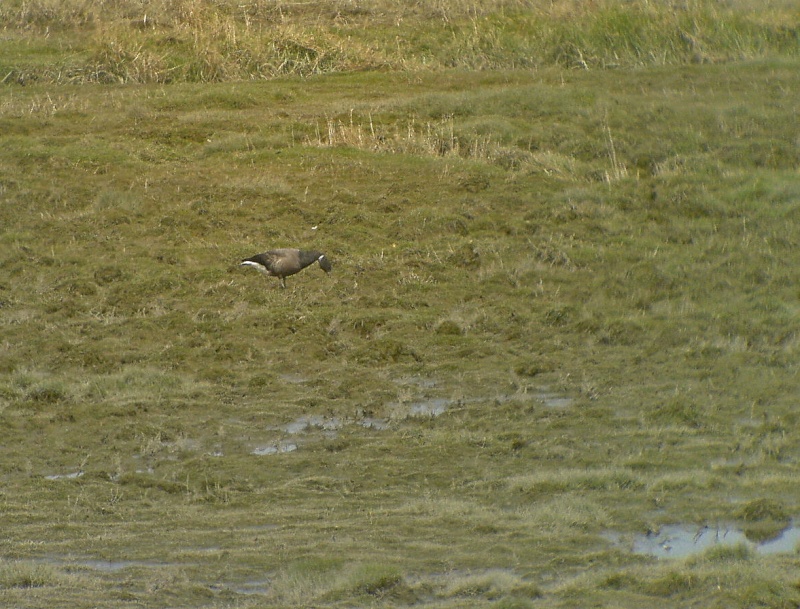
<point x="681" y="541"/>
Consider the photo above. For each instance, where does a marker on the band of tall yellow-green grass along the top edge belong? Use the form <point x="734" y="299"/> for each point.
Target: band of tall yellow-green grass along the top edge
<point x="188" y="40"/>
